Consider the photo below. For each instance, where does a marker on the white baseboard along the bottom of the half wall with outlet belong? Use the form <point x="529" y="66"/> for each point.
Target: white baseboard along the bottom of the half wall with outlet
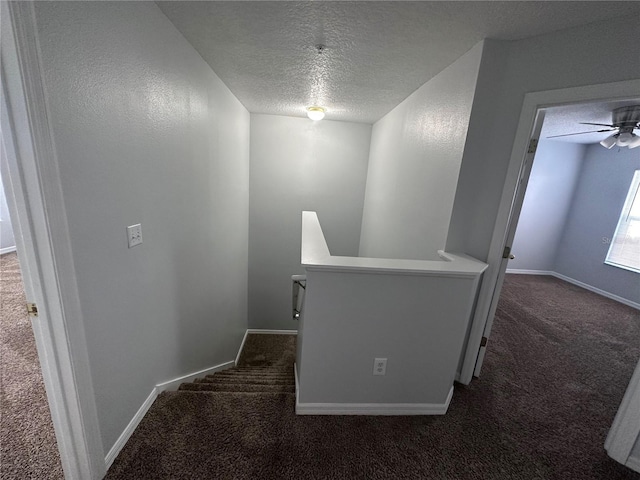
<point x="373" y="408"/>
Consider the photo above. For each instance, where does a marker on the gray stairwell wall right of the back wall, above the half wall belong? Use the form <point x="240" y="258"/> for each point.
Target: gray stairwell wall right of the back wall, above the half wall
<point x="416" y="151"/>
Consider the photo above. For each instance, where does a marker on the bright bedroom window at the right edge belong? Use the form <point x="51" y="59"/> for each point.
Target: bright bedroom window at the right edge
<point x="624" y="251"/>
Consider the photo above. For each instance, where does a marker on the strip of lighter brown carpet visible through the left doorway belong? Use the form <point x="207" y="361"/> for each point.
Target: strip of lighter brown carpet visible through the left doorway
<point x="28" y="448"/>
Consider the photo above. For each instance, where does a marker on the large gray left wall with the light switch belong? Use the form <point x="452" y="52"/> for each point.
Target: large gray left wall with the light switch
<point x="146" y="132"/>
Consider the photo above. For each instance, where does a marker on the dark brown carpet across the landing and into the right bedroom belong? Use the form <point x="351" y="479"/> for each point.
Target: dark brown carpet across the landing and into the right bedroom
<point x="556" y="369"/>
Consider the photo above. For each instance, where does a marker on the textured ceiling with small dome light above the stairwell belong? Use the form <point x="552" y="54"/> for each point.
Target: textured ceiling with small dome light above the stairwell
<point x="377" y="53"/>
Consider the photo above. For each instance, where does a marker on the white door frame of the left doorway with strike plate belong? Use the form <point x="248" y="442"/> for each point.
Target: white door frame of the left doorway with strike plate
<point x="34" y="196"/>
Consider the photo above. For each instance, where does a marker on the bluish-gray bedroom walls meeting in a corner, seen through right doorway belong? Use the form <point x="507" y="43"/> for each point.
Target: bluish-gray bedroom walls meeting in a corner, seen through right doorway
<point x="571" y="210"/>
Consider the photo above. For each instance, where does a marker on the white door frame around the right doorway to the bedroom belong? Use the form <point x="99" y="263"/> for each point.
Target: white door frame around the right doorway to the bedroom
<point x="509" y="208"/>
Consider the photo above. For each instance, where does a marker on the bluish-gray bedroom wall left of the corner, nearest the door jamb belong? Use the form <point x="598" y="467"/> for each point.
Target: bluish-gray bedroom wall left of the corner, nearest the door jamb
<point x="546" y="204"/>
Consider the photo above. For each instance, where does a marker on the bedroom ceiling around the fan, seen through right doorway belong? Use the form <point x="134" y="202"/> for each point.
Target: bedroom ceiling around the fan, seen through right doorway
<point x="566" y="119"/>
